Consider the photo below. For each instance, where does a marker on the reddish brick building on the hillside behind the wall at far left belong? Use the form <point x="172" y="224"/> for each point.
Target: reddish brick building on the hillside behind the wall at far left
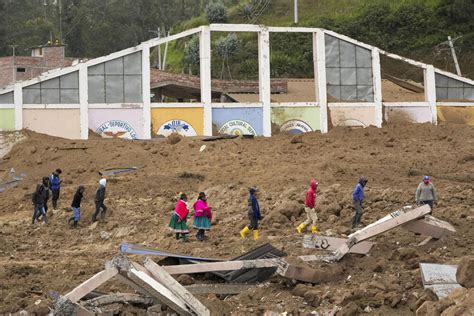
<point x="42" y="59"/>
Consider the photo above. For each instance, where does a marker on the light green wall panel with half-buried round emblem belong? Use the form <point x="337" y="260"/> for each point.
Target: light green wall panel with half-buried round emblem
<point x="296" y="120"/>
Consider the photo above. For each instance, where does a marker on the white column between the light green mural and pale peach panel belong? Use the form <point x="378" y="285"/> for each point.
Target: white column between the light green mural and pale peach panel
<point x="319" y="60"/>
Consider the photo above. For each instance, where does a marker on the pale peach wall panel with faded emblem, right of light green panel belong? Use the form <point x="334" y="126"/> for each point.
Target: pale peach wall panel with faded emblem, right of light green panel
<point x="352" y="116"/>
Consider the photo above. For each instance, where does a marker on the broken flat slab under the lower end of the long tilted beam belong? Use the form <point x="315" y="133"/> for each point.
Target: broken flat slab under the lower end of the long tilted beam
<point x="333" y="243"/>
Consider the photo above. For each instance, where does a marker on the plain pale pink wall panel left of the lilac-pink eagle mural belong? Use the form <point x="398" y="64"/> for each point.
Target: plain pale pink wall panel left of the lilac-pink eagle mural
<point x="55" y="122"/>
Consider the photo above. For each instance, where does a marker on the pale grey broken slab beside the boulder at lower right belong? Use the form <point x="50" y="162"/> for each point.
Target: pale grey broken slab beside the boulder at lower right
<point x="441" y="278"/>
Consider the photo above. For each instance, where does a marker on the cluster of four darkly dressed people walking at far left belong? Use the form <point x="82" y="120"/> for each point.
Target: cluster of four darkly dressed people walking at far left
<point x="53" y="183"/>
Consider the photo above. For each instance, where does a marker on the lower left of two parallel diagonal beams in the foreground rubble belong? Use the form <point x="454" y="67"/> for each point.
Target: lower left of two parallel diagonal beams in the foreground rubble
<point x="158" y="291"/>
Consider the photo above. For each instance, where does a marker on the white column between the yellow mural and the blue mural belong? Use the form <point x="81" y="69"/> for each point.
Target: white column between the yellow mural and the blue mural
<point x="205" y="77"/>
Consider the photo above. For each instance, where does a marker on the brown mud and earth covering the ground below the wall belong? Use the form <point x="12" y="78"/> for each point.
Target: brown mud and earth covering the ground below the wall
<point x="41" y="258"/>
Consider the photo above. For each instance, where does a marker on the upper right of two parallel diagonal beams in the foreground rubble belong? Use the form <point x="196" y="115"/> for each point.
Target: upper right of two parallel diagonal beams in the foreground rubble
<point x="180" y="291"/>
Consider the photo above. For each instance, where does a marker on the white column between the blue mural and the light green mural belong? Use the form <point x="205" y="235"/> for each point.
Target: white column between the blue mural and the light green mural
<point x="264" y="79"/>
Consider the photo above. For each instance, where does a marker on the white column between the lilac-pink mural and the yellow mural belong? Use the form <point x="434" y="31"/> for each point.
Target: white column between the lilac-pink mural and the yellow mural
<point x="146" y="94"/>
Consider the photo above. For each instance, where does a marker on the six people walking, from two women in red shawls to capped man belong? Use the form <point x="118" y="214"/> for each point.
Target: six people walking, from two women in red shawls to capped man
<point x="425" y="194"/>
